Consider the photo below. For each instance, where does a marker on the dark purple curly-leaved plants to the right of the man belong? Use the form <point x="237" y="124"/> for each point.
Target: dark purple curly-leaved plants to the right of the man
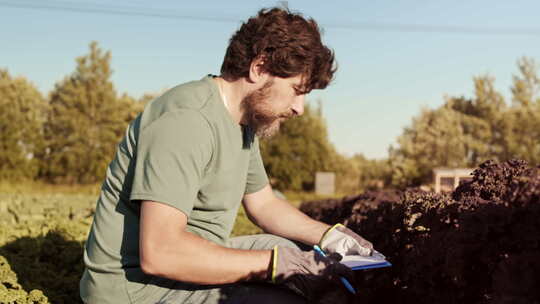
<point x="478" y="244"/>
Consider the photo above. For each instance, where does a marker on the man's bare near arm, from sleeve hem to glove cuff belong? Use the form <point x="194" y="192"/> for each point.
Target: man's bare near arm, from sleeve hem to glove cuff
<point x="167" y="250"/>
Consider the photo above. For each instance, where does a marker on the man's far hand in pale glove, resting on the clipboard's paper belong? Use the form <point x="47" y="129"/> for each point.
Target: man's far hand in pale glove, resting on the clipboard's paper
<point x="342" y="240"/>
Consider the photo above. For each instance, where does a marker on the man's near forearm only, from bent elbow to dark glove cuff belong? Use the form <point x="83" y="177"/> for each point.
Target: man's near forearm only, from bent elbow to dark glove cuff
<point x="195" y="260"/>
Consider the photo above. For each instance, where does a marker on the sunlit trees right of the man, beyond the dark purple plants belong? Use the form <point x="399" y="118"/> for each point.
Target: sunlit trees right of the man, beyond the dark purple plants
<point x="463" y="132"/>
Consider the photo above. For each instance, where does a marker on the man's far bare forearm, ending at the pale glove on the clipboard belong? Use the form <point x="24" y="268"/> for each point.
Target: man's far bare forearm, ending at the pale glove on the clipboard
<point x="278" y="217"/>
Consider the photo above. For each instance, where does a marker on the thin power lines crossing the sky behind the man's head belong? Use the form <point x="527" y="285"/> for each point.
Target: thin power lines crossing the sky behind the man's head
<point x="130" y="11"/>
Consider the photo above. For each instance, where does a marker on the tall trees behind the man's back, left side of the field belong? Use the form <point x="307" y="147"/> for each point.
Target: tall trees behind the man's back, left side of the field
<point x="70" y="136"/>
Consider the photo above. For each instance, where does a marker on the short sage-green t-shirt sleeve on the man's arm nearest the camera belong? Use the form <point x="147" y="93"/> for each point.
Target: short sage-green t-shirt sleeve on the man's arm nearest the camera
<point x="172" y="155"/>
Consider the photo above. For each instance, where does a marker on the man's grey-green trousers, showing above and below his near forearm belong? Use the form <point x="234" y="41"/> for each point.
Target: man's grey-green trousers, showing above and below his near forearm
<point x="172" y="292"/>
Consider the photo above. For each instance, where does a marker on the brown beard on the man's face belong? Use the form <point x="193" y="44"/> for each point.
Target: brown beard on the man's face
<point x="258" y="113"/>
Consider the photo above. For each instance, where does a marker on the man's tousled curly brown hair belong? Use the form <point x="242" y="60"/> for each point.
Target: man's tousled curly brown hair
<point x="289" y="44"/>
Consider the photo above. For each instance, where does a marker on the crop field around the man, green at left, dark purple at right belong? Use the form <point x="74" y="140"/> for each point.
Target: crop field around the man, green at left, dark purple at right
<point x="478" y="244"/>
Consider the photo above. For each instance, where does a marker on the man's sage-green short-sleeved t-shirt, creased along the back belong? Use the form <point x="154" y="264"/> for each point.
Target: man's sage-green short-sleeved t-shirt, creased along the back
<point x="183" y="150"/>
